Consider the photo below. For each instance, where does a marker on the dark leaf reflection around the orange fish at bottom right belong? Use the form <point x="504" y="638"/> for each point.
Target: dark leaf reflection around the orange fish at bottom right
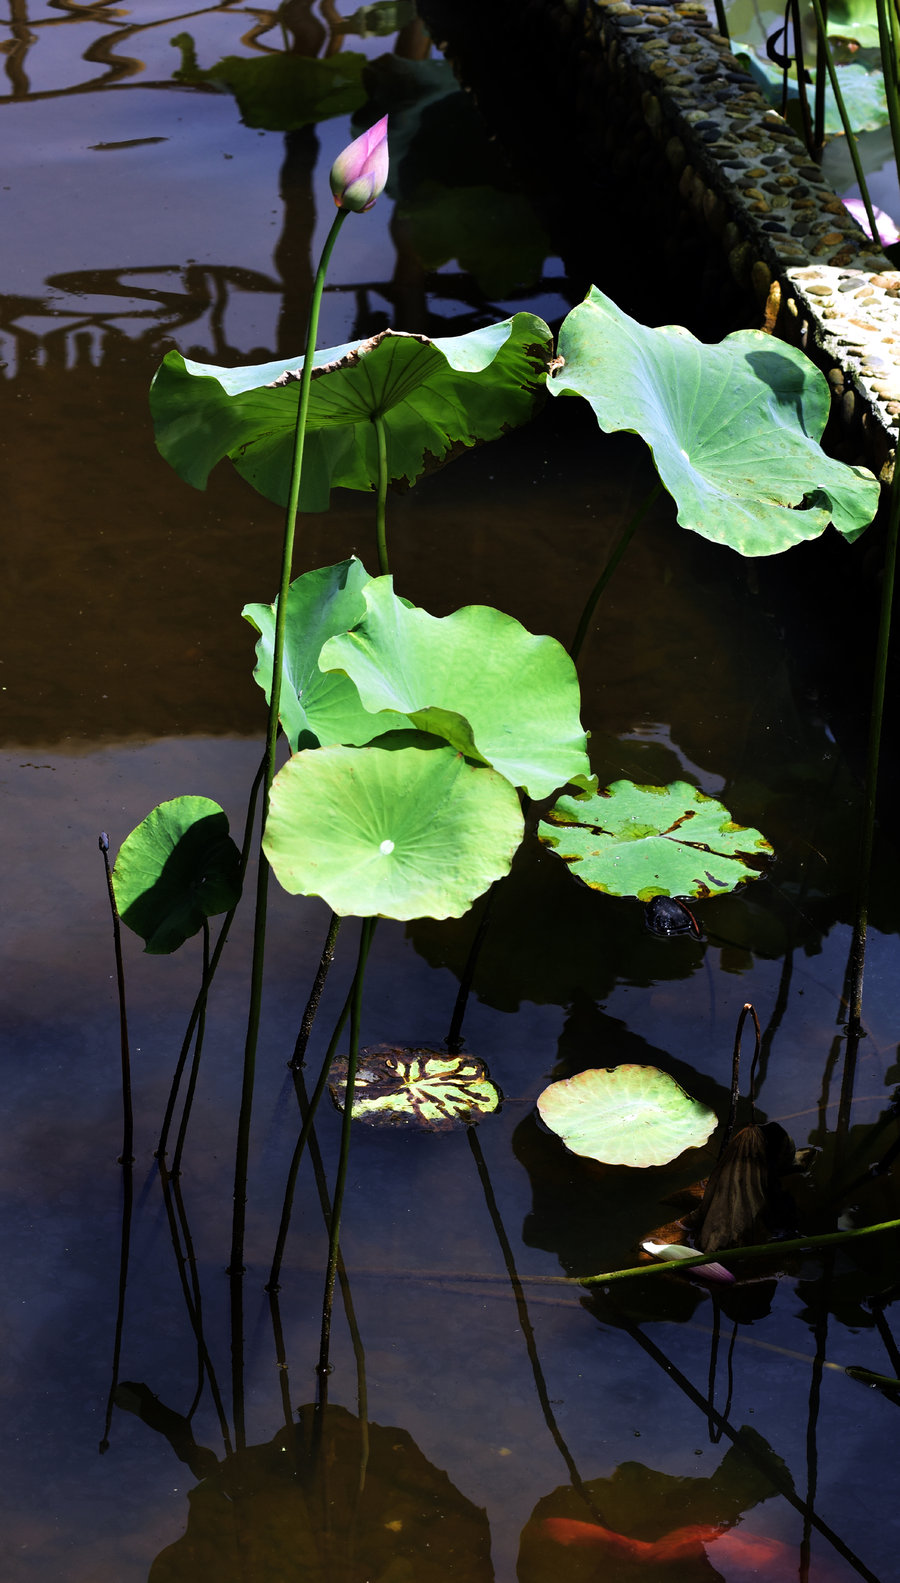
<point x="646" y="1505"/>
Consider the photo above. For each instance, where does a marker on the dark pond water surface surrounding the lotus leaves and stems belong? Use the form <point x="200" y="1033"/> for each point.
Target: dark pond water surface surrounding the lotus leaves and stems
<point x="138" y="214"/>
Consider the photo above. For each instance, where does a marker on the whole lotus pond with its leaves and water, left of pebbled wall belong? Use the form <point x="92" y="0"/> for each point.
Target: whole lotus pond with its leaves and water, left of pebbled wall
<point x="472" y="1411"/>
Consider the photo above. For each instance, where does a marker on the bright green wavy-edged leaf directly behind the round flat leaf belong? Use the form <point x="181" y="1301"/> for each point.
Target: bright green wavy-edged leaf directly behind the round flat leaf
<point x="478" y="678"/>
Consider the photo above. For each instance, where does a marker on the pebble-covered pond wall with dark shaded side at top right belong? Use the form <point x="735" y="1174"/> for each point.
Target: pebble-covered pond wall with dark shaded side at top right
<point x="662" y="75"/>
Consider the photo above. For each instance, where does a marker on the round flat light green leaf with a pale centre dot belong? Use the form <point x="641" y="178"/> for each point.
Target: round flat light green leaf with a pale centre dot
<point x="406" y="832"/>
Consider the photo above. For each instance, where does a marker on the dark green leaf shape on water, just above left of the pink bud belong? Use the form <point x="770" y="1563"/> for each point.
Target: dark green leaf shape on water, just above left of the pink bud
<point x="281" y="93"/>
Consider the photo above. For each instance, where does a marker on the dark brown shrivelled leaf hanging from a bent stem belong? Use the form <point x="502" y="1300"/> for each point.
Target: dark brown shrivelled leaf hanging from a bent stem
<point x="744" y="1201"/>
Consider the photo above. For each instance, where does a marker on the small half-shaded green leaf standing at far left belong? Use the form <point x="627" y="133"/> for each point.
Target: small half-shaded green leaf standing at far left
<point x="178" y="868"/>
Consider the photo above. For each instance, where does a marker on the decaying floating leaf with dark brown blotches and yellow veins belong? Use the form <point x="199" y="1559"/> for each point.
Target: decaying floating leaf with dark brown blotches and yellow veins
<point x="401" y="1088"/>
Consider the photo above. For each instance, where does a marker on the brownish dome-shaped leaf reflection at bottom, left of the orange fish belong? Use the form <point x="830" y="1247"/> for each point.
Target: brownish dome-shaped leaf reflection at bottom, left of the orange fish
<point x="271" y="1514"/>
